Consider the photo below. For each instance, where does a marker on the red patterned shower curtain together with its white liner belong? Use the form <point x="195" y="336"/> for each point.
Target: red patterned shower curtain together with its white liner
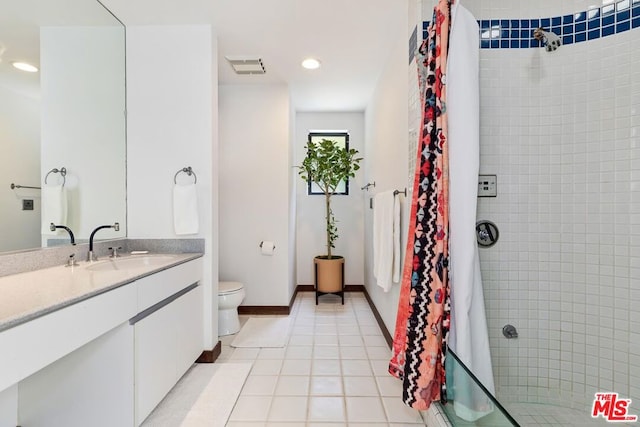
<point x="440" y="240"/>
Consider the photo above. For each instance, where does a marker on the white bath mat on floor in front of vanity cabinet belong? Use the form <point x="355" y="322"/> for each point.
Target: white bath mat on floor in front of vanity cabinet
<point x="205" y="396"/>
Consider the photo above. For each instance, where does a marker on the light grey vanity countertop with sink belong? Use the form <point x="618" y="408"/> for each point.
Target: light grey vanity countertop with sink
<point x="26" y="296"/>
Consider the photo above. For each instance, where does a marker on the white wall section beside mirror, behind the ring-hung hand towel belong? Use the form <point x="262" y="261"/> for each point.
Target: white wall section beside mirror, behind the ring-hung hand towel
<point x="172" y="122"/>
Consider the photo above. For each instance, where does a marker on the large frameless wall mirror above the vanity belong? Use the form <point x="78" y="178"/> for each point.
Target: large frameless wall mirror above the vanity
<point x="70" y="113"/>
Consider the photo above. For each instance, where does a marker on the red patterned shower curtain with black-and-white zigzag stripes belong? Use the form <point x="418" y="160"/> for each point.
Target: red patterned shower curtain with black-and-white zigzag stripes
<point x="422" y="323"/>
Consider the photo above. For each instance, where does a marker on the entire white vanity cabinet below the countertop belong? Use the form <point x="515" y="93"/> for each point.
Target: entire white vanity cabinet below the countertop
<point x="107" y="360"/>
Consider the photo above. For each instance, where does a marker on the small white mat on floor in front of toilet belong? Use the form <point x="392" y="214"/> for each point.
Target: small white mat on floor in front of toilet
<point x="263" y="332"/>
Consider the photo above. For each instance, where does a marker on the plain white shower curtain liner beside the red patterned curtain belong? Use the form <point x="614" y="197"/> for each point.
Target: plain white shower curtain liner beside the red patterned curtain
<point x="468" y="337"/>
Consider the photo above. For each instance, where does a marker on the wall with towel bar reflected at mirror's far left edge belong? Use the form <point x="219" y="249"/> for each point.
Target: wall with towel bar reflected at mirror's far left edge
<point x="19" y="164"/>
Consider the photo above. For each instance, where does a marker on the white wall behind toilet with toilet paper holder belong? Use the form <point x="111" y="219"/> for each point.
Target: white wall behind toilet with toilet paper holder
<point x="254" y="190"/>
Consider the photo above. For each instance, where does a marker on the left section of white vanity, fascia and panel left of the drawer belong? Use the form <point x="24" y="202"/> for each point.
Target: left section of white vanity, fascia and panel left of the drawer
<point x="74" y="366"/>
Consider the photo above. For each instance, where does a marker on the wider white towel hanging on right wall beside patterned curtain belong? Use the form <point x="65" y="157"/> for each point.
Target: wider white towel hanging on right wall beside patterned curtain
<point x="383" y="208"/>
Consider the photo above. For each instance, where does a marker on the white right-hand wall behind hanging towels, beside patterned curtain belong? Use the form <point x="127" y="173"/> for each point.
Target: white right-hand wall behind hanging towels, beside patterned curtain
<point x="386" y="127"/>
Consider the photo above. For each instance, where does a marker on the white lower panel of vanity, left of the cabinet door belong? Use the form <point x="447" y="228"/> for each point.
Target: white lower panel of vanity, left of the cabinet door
<point x="90" y="387"/>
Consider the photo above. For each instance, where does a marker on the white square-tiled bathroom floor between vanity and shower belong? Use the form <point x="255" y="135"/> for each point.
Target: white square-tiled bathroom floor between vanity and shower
<point x="333" y="371"/>
